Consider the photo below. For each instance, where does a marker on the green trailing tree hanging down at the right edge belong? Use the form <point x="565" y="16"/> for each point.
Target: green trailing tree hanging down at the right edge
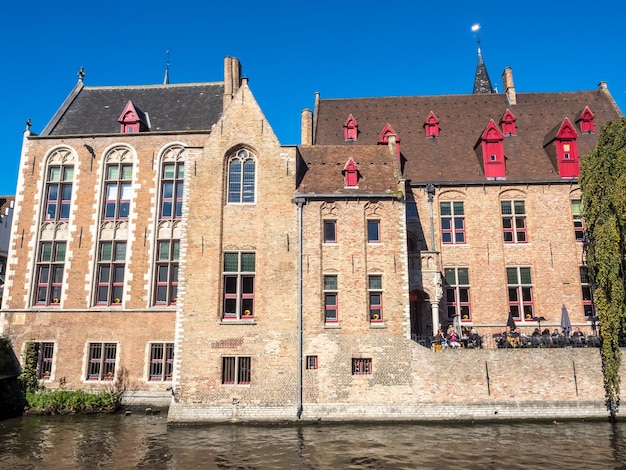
<point x="603" y="183"/>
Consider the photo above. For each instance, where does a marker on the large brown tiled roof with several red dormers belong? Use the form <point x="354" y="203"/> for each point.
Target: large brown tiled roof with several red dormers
<point x="455" y="156"/>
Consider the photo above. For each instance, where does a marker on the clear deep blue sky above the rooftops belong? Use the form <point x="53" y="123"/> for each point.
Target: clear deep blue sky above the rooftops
<point x="290" y="50"/>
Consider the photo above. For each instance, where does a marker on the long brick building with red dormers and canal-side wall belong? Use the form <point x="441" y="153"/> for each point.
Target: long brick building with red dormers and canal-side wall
<point x="171" y="235"/>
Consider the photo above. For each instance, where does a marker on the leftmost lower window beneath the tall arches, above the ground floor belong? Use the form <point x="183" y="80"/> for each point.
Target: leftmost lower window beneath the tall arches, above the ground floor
<point x="50" y="266"/>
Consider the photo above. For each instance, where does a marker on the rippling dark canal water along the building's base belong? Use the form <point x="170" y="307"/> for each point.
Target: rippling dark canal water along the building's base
<point x="146" y="442"/>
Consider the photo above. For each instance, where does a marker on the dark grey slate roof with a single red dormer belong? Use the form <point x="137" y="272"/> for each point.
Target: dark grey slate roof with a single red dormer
<point x="169" y="108"/>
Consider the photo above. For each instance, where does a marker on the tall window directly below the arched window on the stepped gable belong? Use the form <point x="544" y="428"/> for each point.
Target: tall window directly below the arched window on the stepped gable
<point x="239" y="271"/>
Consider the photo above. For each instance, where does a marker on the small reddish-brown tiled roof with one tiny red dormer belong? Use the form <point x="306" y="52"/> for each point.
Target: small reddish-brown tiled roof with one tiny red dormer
<point x="320" y="169"/>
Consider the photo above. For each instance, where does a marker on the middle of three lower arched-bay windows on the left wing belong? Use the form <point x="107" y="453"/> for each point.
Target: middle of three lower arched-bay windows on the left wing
<point x="111" y="266"/>
